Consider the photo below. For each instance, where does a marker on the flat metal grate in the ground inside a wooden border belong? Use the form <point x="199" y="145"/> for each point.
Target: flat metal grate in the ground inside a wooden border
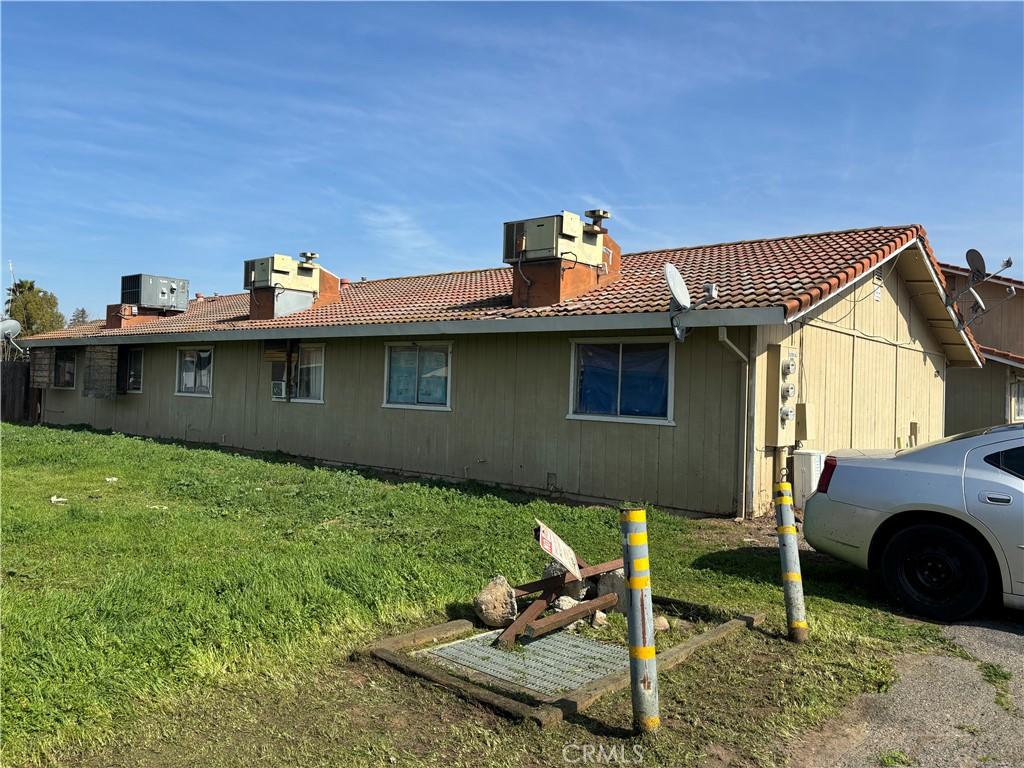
<point x="551" y="665"/>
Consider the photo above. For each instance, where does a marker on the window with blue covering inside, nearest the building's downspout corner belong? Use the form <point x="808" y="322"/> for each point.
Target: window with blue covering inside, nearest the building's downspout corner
<point x="627" y="380"/>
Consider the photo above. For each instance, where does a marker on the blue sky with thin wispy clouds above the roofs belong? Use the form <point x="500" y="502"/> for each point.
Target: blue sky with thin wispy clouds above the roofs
<point x="184" y="139"/>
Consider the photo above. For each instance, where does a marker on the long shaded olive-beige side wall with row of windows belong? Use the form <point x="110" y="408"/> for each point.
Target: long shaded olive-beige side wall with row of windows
<point x="510" y="396"/>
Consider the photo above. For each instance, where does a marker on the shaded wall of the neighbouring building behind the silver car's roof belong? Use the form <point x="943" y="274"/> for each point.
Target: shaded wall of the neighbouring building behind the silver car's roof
<point x="978" y="399"/>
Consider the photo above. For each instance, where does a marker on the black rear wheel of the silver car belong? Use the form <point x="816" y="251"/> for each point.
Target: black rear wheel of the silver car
<point x="935" y="572"/>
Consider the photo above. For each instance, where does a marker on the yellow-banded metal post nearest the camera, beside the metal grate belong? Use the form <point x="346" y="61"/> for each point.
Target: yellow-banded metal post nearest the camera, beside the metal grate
<point x="641" y="616"/>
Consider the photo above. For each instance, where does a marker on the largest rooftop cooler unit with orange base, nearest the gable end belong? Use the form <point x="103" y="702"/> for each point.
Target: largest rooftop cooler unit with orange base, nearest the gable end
<point x="558" y="259"/>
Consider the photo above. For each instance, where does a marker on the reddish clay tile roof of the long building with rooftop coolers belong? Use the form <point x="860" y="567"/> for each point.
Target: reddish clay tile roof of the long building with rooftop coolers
<point x="792" y="274"/>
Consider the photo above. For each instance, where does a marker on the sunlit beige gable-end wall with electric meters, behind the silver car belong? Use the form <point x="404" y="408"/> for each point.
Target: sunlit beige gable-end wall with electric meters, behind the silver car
<point x="869" y="367"/>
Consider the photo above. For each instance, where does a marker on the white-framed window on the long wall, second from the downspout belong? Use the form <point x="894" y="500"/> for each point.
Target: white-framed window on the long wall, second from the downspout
<point x="418" y="376"/>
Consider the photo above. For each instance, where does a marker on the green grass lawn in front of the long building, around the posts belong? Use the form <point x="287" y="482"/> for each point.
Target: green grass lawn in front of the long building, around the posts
<point x="204" y="600"/>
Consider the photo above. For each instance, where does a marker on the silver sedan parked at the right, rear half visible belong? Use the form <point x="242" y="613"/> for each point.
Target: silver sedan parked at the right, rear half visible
<point x="942" y="525"/>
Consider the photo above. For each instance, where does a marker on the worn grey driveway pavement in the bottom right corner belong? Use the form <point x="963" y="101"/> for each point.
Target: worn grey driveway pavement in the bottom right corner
<point x="945" y="712"/>
